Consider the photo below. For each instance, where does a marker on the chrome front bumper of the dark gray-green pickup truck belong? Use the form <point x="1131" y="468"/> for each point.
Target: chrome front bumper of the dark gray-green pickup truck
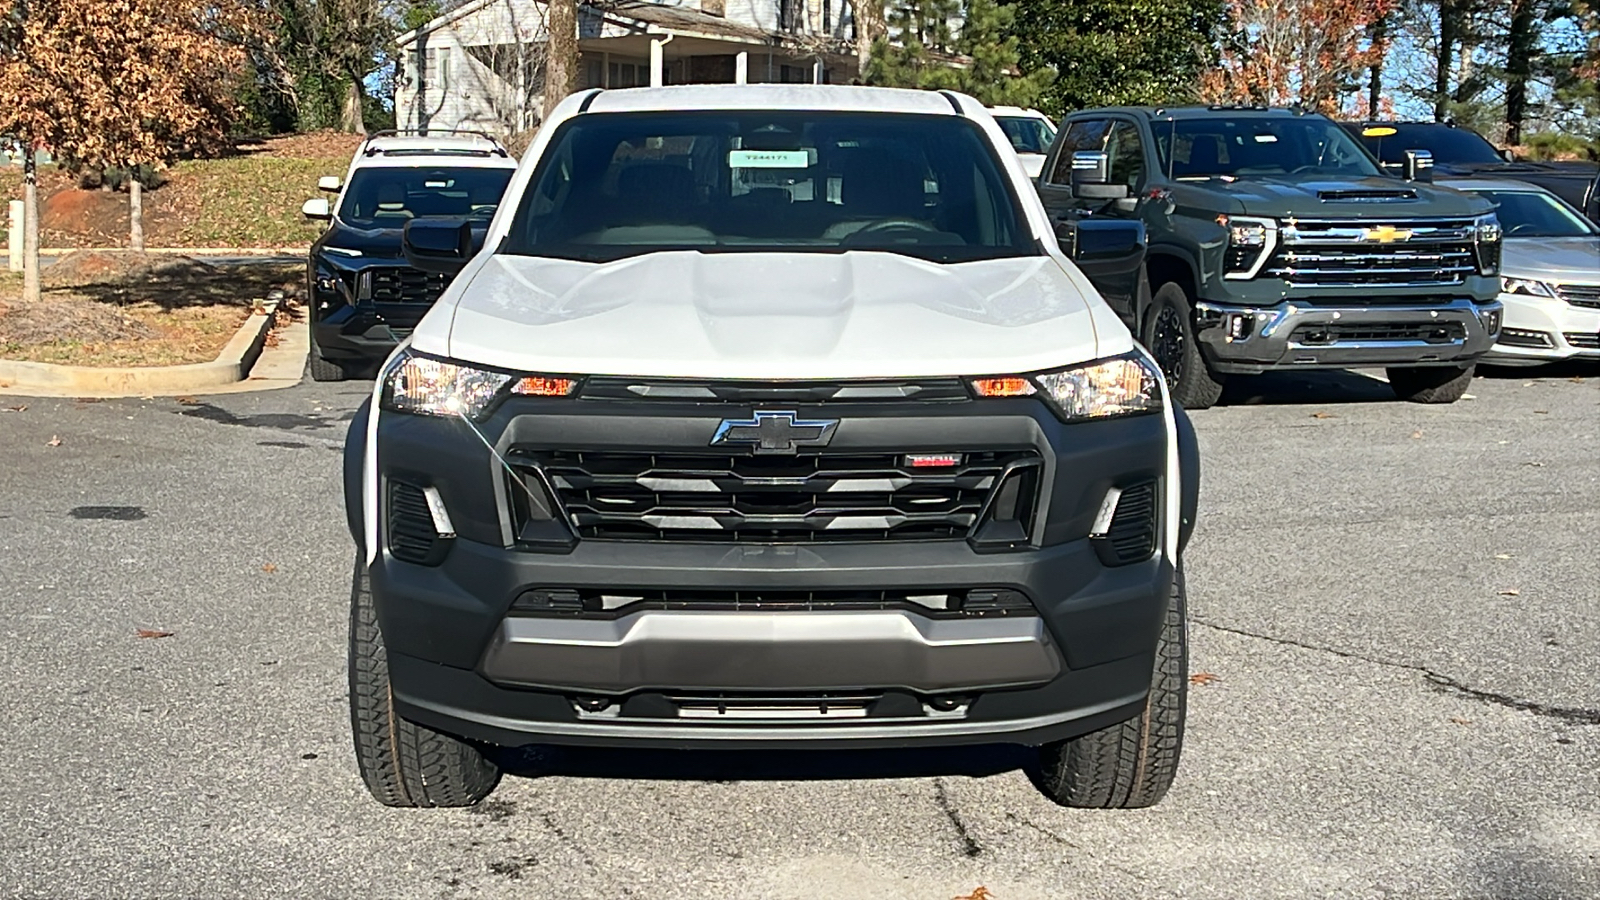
<point x="1250" y="340"/>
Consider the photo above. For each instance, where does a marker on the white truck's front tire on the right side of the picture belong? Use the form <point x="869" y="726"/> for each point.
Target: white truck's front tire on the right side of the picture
<point x="1130" y="765"/>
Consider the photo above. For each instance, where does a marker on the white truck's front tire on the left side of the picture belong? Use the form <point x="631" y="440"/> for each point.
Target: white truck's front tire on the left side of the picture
<point x="402" y="763"/>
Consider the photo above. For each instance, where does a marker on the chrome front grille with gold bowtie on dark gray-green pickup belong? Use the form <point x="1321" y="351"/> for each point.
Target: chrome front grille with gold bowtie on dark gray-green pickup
<point x="1366" y="254"/>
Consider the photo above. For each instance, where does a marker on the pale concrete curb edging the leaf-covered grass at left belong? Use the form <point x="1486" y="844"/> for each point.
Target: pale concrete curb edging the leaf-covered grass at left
<point x="231" y="368"/>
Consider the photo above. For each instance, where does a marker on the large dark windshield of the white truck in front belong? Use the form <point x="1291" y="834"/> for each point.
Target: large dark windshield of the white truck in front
<point x="626" y="185"/>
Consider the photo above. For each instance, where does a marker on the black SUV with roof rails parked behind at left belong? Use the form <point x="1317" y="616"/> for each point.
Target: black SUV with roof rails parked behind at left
<point x="364" y="295"/>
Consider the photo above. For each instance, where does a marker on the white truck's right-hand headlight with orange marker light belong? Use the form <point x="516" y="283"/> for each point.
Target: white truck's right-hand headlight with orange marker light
<point x="1110" y="388"/>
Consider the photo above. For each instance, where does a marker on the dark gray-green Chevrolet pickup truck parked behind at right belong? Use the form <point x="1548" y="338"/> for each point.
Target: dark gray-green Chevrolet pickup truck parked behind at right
<point x="1274" y="243"/>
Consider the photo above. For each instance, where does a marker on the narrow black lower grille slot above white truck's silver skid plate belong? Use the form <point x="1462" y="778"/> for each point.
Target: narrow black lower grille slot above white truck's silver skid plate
<point x="612" y="603"/>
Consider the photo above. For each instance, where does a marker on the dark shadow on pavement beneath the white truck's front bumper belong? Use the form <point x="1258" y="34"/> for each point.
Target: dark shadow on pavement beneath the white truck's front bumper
<point x="764" y="765"/>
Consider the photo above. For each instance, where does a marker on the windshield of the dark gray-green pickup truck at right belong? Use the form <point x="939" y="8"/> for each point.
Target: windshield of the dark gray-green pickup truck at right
<point x="1258" y="147"/>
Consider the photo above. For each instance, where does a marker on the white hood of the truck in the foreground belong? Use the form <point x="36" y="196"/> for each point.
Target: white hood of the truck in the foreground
<point x="772" y="316"/>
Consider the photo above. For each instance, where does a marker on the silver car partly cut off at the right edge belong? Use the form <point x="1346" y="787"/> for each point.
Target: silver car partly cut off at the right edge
<point x="1550" y="276"/>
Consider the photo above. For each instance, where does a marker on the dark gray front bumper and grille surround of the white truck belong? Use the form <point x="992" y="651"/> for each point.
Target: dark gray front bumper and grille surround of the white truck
<point x="468" y="661"/>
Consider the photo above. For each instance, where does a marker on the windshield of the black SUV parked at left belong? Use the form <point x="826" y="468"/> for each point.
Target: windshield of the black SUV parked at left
<point x="391" y="196"/>
